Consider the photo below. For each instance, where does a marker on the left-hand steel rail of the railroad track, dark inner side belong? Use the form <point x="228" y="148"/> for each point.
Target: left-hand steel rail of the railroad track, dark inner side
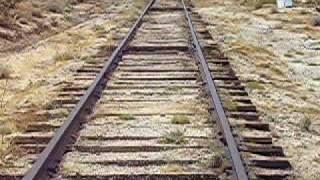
<point x="53" y="153"/>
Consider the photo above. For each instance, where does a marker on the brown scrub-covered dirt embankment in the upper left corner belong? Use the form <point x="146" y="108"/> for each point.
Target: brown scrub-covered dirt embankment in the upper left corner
<point x="24" y="22"/>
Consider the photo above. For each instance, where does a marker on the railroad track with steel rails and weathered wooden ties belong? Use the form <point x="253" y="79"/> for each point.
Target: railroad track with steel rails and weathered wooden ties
<point x="166" y="105"/>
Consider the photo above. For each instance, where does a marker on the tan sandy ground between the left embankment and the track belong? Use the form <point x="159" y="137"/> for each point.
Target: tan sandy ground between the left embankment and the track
<point x="33" y="75"/>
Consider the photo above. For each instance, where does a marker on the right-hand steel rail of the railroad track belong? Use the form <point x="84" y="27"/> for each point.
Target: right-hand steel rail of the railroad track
<point x="238" y="166"/>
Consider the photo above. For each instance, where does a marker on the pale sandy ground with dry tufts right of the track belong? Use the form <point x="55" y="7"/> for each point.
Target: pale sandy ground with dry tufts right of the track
<point x="276" y="54"/>
